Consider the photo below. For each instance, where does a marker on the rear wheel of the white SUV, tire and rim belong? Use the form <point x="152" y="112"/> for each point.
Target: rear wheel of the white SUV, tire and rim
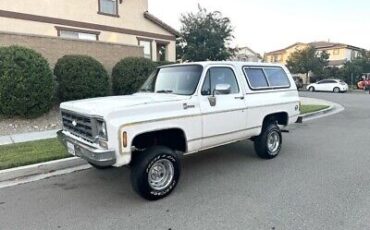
<point x="268" y="143"/>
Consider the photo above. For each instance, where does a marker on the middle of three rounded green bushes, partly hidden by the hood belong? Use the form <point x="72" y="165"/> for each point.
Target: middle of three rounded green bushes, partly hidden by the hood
<point x="80" y="77"/>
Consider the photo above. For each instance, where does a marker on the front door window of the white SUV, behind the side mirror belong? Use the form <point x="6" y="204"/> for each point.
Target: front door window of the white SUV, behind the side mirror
<point x="219" y="75"/>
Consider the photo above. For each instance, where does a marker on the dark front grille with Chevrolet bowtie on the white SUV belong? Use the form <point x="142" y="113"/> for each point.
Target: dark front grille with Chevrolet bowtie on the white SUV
<point x="78" y="125"/>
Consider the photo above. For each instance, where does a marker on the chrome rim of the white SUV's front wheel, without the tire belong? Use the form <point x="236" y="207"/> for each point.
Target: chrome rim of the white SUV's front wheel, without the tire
<point x="161" y="174"/>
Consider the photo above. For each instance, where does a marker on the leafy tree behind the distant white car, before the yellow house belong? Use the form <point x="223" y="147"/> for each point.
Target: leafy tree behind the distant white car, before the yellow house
<point x="307" y="60"/>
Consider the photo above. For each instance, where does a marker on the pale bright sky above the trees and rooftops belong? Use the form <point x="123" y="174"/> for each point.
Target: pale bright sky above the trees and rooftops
<point x="268" y="25"/>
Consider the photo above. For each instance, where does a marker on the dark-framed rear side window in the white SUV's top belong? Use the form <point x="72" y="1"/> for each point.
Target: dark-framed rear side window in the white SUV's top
<point x="266" y="77"/>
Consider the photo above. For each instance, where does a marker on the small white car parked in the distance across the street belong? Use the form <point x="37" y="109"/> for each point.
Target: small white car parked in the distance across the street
<point x="330" y="85"/>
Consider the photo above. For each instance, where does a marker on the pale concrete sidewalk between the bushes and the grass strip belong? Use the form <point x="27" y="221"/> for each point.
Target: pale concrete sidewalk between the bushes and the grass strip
<point x="25" y="137"/>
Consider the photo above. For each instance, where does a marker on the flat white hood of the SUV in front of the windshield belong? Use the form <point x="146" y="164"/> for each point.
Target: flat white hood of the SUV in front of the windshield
<point x="102" y="106"/>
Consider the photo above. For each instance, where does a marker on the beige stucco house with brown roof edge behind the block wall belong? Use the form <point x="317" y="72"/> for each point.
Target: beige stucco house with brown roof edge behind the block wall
<point x="125" y="22"/>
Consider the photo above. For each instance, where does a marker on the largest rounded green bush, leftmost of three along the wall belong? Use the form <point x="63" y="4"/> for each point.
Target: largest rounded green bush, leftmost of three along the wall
<point x="26" y="83"/>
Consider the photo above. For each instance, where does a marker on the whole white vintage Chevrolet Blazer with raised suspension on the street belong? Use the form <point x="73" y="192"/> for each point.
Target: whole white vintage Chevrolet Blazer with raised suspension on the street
<point x="182" y="109"/>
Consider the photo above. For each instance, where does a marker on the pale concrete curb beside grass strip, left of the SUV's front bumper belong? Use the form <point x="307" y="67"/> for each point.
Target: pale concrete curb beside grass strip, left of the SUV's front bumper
<point x="45" y="168"/>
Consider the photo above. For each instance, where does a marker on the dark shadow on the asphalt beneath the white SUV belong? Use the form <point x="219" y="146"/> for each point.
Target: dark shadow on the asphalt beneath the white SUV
<point x="115" y="183"/>
